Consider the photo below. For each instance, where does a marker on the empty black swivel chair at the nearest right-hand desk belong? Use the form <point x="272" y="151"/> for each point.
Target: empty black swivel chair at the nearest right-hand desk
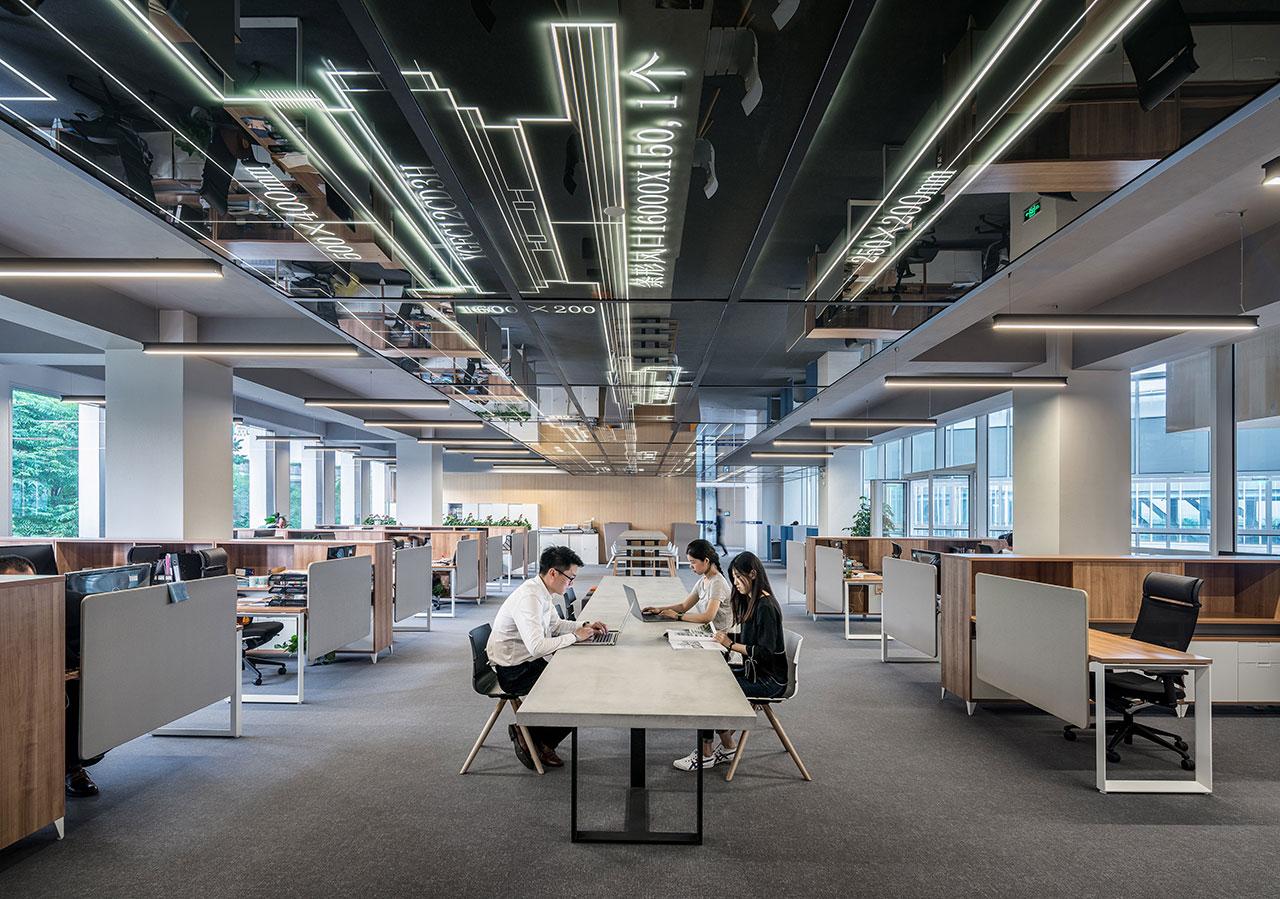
<point x="1171" y="608"/>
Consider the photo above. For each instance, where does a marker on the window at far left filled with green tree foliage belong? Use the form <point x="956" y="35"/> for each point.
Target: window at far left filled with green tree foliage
<point x="47" y="471"/>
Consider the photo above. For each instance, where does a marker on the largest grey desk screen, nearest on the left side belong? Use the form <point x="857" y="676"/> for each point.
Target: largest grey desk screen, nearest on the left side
<point x="147" y="661"/>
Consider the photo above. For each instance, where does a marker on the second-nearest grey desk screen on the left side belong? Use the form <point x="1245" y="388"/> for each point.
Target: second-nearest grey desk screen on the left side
<point x="340" y="604"/>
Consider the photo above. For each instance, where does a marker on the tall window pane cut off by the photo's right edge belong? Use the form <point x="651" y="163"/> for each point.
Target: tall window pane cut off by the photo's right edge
<point x="1258" y="445"/>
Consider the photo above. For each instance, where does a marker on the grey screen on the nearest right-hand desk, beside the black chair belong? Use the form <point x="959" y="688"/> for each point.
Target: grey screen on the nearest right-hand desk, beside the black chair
<point x="1034" y="642"/>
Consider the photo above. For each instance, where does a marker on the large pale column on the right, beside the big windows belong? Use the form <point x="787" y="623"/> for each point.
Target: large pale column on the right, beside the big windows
<point x="1072" y="467"/>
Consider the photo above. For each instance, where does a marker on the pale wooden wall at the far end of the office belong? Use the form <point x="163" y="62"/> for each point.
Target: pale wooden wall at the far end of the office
<point x="648" y="504"/>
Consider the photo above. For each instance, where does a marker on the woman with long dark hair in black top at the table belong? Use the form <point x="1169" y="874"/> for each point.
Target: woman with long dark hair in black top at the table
<point x="760" y="640"/>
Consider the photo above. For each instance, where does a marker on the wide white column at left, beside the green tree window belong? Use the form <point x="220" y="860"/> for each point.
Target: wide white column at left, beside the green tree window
<point x="168" y="448"/>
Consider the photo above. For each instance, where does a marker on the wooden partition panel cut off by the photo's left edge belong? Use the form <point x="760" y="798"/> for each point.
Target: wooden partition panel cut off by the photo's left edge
<point x="33" y="706"/>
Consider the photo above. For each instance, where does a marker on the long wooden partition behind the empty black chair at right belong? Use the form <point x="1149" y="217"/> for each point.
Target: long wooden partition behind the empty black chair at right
<point x="1241" y="599"/>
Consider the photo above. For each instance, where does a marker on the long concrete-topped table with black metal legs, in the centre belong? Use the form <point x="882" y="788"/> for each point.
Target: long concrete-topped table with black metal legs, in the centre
<point x="641" y="684"/>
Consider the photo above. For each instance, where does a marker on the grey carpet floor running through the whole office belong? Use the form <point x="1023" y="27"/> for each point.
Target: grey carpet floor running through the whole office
<point x="358" y="793"/>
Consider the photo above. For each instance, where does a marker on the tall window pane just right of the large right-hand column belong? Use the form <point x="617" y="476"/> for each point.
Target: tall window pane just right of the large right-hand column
<point x="1171" y="495"/>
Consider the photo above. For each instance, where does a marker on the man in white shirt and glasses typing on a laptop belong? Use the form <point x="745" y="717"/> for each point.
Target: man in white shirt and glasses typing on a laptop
<point x="525" y="632"/>
